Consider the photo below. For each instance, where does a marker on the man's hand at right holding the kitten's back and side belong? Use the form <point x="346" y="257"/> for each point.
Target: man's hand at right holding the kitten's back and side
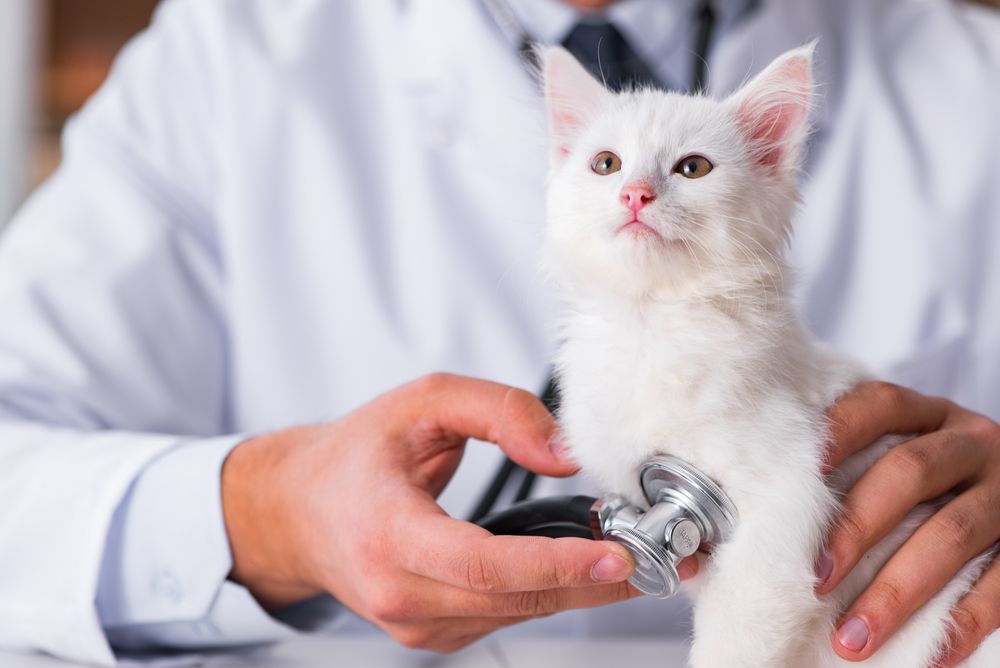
<point x="956" y="451"/>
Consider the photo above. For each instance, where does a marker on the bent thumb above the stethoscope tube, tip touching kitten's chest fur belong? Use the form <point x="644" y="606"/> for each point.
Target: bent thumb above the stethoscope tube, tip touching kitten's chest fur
<point x="514" y="419"/>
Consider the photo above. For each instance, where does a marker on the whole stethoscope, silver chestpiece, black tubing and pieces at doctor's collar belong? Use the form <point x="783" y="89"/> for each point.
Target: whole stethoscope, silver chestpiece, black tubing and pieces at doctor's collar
<point x="687" y="511"/>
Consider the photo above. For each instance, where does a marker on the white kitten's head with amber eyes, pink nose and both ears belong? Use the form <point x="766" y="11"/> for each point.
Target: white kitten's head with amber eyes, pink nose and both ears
<point x="651" y="190"/>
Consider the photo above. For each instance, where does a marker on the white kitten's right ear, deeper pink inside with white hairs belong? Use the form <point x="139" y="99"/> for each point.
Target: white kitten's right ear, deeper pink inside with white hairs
<point x="773" y="109"/>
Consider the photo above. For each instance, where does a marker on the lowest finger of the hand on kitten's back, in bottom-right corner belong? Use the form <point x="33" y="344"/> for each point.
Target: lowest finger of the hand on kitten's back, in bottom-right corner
<point x="976" y="616"/>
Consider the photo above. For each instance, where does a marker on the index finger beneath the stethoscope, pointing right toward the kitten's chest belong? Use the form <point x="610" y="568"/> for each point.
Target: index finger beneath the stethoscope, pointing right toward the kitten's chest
<point x="471" y="558"/>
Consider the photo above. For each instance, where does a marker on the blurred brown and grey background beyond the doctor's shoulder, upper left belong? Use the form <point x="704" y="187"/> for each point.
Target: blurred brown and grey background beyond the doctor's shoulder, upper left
<point x="53" y="55"/>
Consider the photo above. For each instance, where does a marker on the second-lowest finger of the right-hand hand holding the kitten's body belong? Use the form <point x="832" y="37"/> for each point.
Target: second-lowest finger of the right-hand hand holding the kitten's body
<point x="955" y="534"/>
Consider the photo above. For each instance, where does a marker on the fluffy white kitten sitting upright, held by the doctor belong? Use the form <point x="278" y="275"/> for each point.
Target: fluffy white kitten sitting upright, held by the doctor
<point x="667" y="217"/>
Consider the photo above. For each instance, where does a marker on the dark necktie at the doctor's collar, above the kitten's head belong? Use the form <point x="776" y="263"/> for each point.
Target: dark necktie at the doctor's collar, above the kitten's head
<point x="603" y="50"/>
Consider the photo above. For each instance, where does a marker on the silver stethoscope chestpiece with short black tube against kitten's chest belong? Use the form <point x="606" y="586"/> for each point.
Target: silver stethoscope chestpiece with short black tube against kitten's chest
<point x="687" y="512"/>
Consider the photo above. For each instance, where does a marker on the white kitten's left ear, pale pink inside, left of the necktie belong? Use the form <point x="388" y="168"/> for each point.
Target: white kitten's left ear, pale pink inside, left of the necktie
<point x="572" y="95"/>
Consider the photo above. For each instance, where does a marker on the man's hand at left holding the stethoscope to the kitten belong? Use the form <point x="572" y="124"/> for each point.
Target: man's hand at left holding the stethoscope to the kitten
<point x="348" y="508"/>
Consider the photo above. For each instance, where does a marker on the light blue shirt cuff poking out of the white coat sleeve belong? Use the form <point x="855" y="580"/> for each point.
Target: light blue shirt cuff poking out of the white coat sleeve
<point x="166" y="560"/>
